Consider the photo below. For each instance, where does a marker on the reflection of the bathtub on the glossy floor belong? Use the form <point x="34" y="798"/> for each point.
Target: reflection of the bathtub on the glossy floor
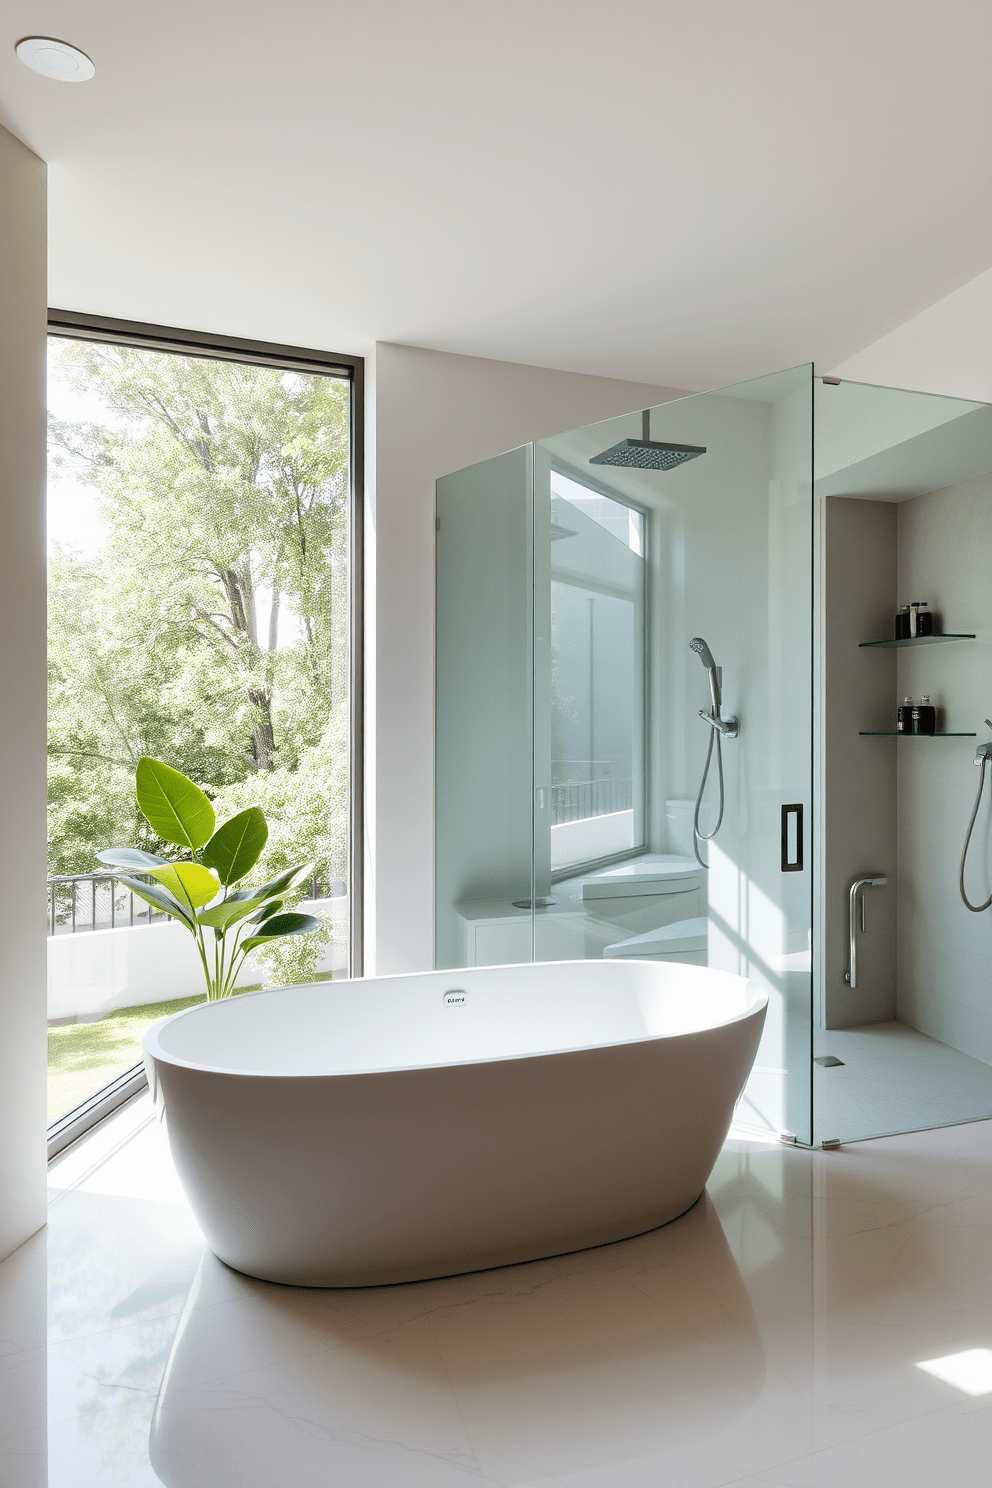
<point x="542" y="1370"/>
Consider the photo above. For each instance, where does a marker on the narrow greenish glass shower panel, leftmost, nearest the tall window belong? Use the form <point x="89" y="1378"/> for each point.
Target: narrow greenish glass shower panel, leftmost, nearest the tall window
<point x="484" y="801"/>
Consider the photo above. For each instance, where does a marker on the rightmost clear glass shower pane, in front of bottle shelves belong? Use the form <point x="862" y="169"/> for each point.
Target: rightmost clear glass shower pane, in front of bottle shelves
<point x="905" y="514"/>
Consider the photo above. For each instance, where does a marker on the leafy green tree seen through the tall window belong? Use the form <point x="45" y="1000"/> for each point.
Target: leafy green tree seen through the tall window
<point x="210" y="632"/>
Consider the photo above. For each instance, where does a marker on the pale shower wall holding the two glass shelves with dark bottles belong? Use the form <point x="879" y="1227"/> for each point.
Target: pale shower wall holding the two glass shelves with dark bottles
<point x="945" y="952"/>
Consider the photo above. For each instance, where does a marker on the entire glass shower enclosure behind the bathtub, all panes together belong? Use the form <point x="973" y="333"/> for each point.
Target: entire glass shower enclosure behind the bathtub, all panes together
<point x="602" y="591"/>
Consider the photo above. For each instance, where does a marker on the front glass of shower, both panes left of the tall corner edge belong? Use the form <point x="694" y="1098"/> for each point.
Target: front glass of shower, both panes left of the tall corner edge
<point x="576" y="721"/>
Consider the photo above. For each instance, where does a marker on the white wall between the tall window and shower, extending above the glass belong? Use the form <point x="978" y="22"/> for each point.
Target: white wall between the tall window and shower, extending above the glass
<point x="429" y="414"/>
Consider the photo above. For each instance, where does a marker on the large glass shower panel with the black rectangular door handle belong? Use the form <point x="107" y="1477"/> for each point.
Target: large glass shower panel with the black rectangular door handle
<point x="651" y="532"/>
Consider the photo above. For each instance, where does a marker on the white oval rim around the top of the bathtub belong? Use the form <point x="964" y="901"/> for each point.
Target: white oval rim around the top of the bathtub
<point x="152" y="1048"/>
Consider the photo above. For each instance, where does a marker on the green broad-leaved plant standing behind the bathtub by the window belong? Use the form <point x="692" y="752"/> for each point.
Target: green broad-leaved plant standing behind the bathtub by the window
<point x="199" y="891"/>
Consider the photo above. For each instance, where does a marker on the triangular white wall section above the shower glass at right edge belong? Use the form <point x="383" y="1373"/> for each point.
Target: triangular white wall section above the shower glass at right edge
<point x="947" y="349"/>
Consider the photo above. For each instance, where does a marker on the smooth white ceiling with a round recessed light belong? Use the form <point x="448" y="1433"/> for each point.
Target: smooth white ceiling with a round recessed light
<point x="682" y="194"/>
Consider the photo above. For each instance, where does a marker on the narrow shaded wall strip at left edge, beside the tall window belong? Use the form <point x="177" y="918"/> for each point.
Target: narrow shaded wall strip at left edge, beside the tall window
<point x="23" y="398"/>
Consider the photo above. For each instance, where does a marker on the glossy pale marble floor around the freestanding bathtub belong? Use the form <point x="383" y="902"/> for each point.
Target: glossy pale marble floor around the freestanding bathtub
<point x="774" y="1335"/>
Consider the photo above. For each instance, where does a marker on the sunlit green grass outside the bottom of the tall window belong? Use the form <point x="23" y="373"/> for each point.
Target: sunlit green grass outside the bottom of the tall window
<point x="86" y="1057"/>
